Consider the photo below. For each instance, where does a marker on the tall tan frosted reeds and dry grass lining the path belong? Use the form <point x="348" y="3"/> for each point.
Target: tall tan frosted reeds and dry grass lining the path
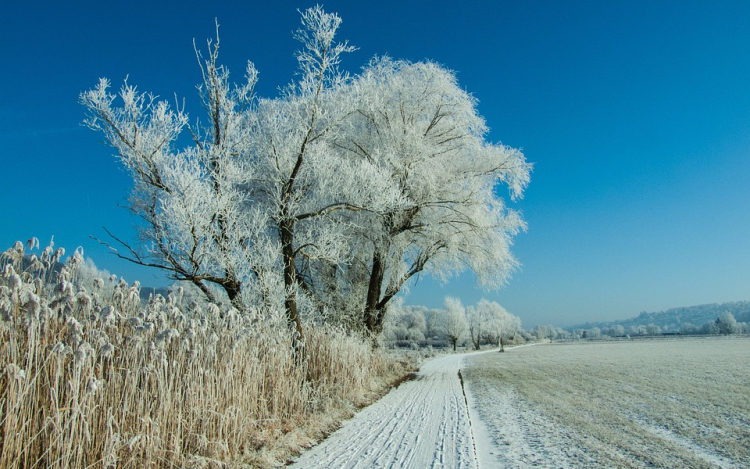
<point x="97" y="381"/>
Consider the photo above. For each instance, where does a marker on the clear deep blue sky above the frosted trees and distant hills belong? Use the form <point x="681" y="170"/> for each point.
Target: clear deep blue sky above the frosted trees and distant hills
<point x="636" y="115"/>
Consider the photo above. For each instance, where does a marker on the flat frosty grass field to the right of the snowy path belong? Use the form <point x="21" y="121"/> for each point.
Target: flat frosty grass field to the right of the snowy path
<point x="630" y="404"/>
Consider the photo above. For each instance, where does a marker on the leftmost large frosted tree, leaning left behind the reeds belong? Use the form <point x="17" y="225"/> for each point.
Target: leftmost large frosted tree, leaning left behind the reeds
<point x="194" y="225"/>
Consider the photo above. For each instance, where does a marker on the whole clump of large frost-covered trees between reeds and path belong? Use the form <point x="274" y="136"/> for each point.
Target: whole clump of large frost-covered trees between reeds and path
<point x="328" y="198"/>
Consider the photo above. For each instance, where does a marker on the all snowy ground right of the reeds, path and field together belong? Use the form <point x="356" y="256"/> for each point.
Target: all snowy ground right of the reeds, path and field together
<point x="676" y="403"/>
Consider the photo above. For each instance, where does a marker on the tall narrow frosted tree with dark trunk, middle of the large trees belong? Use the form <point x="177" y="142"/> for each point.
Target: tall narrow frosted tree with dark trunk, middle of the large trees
<point x="297" y="177"/>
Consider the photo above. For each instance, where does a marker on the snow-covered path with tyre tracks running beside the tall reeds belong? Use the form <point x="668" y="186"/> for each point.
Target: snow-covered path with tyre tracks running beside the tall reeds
<point x="424" y="423"/>
